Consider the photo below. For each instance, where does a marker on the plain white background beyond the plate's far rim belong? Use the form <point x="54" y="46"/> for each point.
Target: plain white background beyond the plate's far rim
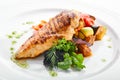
<point x="113" y="5"/>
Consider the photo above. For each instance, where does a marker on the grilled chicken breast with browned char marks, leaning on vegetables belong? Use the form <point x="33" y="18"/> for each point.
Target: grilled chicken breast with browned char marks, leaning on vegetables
<point x="61" y="26"/>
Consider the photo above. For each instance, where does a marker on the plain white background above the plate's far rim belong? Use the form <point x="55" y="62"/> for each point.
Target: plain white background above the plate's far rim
<point x="113" y="5"/>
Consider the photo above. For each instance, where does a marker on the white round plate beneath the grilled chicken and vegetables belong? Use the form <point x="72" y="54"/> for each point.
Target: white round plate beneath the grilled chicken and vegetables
<point x="94" y="64"/>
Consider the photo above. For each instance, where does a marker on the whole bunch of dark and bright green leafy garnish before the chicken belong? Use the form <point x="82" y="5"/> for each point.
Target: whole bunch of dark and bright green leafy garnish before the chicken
<point x="63" y="56"/>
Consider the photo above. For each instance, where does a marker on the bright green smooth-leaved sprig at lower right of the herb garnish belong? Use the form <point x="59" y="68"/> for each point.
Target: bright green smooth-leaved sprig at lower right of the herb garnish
<point x="75" y="60"/>
